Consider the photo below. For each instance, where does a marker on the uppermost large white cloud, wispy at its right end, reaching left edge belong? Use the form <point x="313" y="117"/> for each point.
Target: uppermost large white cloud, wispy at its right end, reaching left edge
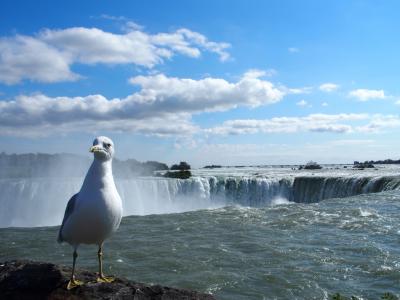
<point x="48" y="56"/>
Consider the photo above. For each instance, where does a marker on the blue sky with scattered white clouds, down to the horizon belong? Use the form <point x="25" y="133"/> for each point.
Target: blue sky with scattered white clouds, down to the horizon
<point x="210" y="82"/>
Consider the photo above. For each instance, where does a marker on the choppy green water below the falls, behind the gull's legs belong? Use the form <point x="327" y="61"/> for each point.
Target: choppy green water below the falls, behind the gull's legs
<point x="290" y="251"/>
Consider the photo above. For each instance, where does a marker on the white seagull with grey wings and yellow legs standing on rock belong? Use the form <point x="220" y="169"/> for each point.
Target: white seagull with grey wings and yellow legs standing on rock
<point x="94" y="213"/>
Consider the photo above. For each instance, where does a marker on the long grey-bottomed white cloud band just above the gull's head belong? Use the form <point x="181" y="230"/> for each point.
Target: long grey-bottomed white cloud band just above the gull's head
<point x="162" y="106"/>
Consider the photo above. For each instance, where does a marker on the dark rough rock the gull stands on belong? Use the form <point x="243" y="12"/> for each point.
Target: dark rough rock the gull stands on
<point x="36" y="280"/>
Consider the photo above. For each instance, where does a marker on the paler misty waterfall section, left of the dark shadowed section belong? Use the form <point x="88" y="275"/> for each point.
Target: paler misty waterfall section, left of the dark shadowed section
<point x="41" y="201"/>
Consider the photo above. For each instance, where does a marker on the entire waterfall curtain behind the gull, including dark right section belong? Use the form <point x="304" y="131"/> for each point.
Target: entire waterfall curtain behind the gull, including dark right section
<point x="41" y="201"/>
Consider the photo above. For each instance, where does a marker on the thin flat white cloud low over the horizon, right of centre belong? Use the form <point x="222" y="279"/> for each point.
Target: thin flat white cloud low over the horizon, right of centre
<point x="313" y="123"/>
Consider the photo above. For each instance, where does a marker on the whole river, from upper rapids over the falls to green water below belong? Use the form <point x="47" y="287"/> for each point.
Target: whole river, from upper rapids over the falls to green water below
<point x="238" y="233"/>
